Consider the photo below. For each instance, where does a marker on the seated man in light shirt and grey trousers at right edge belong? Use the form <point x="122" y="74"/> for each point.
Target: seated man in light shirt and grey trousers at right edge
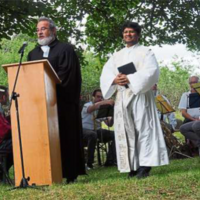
<point x="190" y="128"/>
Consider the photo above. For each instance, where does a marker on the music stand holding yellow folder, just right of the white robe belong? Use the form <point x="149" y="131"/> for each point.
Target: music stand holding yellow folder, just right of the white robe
<point x="163" y="106"/>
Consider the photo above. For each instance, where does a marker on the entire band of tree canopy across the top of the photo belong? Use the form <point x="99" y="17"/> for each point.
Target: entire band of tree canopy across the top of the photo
<point x="97" y="22"/>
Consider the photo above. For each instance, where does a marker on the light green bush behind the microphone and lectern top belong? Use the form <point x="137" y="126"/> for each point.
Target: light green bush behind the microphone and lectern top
<point x="9" y="53"/>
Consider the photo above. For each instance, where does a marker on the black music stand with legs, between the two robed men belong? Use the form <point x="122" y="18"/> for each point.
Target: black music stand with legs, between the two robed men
<point x="104" y="112"/>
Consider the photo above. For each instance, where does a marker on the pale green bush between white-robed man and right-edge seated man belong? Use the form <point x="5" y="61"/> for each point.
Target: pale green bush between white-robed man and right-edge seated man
<point x="173" y="82"/>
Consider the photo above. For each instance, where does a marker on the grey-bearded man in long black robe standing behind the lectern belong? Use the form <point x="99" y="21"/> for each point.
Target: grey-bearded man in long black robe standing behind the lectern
<point x="66" y="64"/>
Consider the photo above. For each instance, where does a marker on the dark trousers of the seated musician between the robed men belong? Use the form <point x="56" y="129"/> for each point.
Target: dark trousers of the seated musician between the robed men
<point x="90" y="138"/>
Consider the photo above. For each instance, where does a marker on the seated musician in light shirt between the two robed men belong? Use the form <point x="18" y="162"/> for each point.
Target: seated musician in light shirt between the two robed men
<point x="92" y="129"/>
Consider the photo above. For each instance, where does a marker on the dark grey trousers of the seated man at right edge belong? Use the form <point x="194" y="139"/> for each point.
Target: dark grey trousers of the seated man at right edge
<point x="191" y="131"/>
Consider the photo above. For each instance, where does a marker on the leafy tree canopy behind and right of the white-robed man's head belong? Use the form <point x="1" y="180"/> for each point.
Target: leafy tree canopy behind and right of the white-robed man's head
<point x="164" y="22"/>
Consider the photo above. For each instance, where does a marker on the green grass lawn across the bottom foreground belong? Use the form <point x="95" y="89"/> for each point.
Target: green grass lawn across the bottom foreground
<point x="179" y="180"/>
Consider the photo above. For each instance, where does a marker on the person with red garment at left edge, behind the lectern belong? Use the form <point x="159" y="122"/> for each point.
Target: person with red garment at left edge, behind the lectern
<point x="5" y="131"/>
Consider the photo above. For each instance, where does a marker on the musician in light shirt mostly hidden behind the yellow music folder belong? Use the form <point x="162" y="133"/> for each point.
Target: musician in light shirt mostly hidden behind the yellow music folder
<point x="168" y="118"/>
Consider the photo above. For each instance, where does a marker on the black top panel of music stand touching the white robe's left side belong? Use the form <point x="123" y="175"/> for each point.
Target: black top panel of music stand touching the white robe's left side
<point x="105" y="111"/>
